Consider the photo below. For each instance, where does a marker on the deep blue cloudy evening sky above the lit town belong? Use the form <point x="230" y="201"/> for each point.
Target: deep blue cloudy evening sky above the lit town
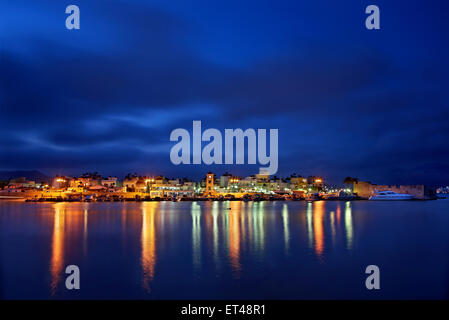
<point x="346" y="100"/>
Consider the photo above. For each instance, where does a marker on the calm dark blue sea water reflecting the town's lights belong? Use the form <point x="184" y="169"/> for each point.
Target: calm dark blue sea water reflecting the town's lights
<point x="231" y="250"/>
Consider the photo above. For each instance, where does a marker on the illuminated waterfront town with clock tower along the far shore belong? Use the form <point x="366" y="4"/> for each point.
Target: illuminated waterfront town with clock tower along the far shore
<point x="94" y="187"/>
